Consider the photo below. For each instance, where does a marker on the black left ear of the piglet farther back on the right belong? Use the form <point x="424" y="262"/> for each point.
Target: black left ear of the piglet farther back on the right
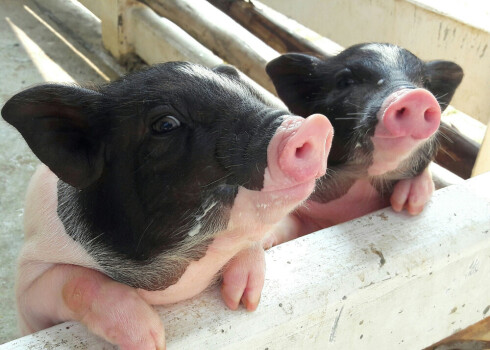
<point x="295" y="78"/>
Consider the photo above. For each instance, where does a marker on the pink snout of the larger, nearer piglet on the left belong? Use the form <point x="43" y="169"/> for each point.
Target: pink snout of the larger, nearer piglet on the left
<point x="305" y="150"/>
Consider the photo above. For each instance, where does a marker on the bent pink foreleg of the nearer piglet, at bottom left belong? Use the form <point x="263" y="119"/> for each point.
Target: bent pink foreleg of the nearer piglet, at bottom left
<point x="109" y="309"/>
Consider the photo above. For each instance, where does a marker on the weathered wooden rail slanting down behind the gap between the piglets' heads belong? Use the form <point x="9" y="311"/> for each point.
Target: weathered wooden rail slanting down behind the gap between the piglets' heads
<point x="221" y="34"/>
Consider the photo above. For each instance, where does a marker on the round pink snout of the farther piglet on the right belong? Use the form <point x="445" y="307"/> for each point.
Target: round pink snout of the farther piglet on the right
<point x="415" y="113"/>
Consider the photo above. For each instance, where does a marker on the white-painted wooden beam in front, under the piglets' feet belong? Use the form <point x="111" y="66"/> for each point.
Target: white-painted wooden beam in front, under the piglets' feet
<point x="358" y="285"/>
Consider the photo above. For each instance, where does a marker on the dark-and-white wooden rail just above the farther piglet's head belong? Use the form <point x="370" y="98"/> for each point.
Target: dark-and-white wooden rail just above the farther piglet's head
<point x="280" y="32"/>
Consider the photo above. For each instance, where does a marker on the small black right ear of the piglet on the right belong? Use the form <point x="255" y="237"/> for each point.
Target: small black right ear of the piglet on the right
<point x="444" y="78"/>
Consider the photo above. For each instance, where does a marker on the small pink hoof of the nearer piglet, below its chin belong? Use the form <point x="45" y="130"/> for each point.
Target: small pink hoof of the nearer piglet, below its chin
<point x="243" y="279"/>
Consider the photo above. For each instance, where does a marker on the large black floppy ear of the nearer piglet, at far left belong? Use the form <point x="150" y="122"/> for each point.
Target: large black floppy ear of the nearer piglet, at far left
<point x="58" y="123"/>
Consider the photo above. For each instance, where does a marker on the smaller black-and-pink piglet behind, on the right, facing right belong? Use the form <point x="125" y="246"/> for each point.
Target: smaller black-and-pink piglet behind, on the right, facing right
<point x="385" y="106"/>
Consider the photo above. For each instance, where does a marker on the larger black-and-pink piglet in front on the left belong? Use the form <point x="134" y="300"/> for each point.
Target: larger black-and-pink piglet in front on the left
<point x="152" y="185"/>
